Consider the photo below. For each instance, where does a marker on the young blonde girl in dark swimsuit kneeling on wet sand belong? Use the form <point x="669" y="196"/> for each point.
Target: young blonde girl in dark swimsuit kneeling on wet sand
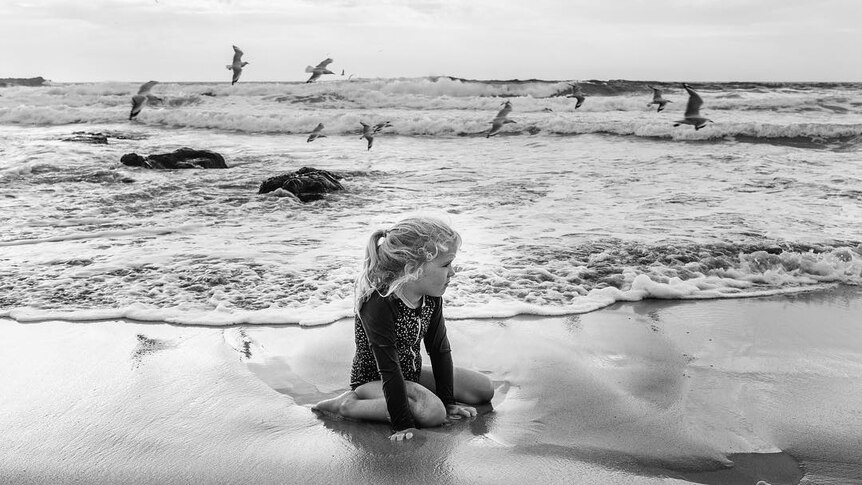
<point x="398" y="305"/>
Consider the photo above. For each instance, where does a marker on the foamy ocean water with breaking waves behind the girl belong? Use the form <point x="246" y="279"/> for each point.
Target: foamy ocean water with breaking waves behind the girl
<point x="565" y="212"/>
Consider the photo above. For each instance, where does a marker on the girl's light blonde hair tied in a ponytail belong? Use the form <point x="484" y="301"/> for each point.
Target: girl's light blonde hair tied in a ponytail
<point x="395" y="256"/>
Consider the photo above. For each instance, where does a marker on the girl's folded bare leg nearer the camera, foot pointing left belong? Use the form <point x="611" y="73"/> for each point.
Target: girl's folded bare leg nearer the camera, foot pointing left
<point x="367" y="403"/>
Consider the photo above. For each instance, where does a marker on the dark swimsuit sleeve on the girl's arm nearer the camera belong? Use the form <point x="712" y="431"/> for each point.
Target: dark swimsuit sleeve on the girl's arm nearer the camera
<point x="378" y="321"/>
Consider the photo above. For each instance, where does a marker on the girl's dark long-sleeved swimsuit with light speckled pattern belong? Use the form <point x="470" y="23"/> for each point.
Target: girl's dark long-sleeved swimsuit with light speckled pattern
<point x="388" y="335"/>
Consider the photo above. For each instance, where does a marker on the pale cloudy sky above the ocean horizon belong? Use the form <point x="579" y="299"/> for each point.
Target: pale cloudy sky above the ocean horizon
<point x="656" y="40"/>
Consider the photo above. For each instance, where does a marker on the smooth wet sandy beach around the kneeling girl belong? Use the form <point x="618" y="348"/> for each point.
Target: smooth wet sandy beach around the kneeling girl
<point x="708" y="391"/>
